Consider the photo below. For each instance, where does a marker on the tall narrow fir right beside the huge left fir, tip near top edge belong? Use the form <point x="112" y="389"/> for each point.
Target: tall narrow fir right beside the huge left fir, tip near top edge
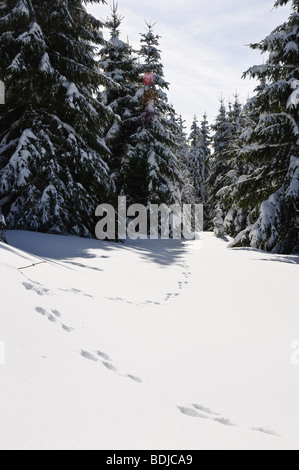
<point x="120" y="64"/>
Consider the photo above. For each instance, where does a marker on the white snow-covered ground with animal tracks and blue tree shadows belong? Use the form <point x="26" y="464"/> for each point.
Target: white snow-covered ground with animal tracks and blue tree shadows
<point x="147" y="345"/>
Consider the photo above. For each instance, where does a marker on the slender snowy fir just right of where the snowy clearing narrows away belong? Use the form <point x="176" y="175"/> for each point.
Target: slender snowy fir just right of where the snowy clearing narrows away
<point x="219" y="166"/>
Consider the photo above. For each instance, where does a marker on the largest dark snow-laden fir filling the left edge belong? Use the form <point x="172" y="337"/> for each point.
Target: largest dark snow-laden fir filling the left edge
<point x="52" y="157"/>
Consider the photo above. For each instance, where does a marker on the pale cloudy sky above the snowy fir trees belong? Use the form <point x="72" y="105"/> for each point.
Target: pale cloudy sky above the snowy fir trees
<point x="204" y="44"/>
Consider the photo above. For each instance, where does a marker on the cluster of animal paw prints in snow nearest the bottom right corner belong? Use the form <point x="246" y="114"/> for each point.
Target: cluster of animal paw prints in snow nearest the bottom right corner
<point x="200" y="411"/>
